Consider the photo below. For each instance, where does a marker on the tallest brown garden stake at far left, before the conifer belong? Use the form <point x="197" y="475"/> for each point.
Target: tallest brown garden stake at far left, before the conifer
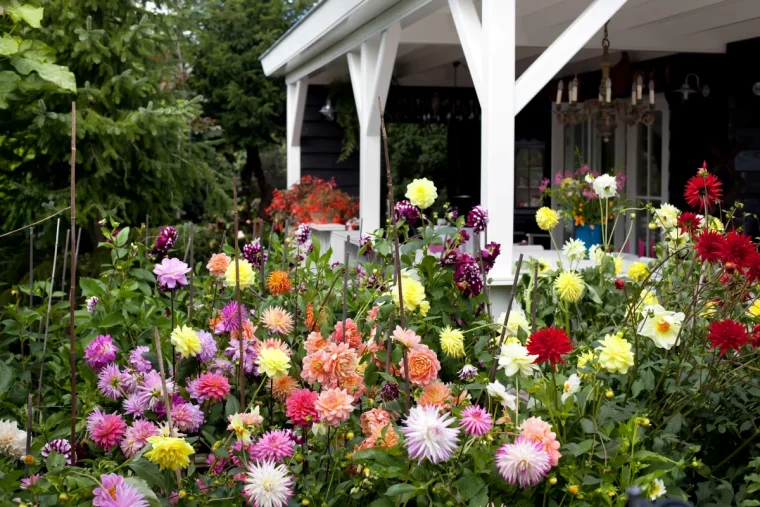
<point x="72" y="284"/>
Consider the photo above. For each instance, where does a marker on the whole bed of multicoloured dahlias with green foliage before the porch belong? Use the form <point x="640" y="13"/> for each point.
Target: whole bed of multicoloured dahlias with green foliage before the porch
<point x="388" y="382"/>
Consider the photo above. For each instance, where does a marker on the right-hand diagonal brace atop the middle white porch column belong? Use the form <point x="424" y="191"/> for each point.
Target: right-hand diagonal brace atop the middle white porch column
<point x="381" y="78"/>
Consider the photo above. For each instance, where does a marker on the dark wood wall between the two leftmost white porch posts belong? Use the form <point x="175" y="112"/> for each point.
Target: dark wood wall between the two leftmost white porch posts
<point x="321" y="141"/>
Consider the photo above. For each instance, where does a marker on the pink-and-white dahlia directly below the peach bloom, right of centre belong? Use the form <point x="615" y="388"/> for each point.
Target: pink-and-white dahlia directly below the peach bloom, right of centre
<point x="524" y="462"/>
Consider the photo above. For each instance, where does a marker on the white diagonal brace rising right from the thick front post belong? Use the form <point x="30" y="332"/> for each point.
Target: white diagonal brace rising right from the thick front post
<point x="563" y="49"/>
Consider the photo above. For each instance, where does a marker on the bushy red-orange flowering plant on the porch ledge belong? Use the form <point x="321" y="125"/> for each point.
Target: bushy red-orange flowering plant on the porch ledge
<point x="312" y="200"/>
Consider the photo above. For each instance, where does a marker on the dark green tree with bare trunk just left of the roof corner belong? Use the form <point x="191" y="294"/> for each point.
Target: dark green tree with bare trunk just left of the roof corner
<point x="249" y="106"/>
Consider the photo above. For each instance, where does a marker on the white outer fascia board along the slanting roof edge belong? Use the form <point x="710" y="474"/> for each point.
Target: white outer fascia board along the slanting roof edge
<point x="314" y="26"/>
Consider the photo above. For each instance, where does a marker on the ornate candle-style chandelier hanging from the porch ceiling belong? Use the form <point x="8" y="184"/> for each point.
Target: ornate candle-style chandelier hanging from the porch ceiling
<point x="604" y="109"/>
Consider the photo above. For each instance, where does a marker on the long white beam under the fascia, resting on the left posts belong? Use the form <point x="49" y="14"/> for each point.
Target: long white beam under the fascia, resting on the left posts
<point x="387" y="18"/>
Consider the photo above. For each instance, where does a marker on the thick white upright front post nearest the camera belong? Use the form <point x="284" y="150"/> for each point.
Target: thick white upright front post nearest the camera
<point x="498" y="129"/>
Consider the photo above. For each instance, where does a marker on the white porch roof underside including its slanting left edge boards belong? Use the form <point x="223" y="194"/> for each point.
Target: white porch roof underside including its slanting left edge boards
<point x="429" y="41"/>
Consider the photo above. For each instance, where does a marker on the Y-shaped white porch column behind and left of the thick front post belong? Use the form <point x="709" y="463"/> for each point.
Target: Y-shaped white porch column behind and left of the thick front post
<point x="371" y="69"/>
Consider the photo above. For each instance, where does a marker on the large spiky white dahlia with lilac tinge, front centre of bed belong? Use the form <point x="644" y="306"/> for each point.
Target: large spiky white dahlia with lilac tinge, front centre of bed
<point x="429" y="435"/>
